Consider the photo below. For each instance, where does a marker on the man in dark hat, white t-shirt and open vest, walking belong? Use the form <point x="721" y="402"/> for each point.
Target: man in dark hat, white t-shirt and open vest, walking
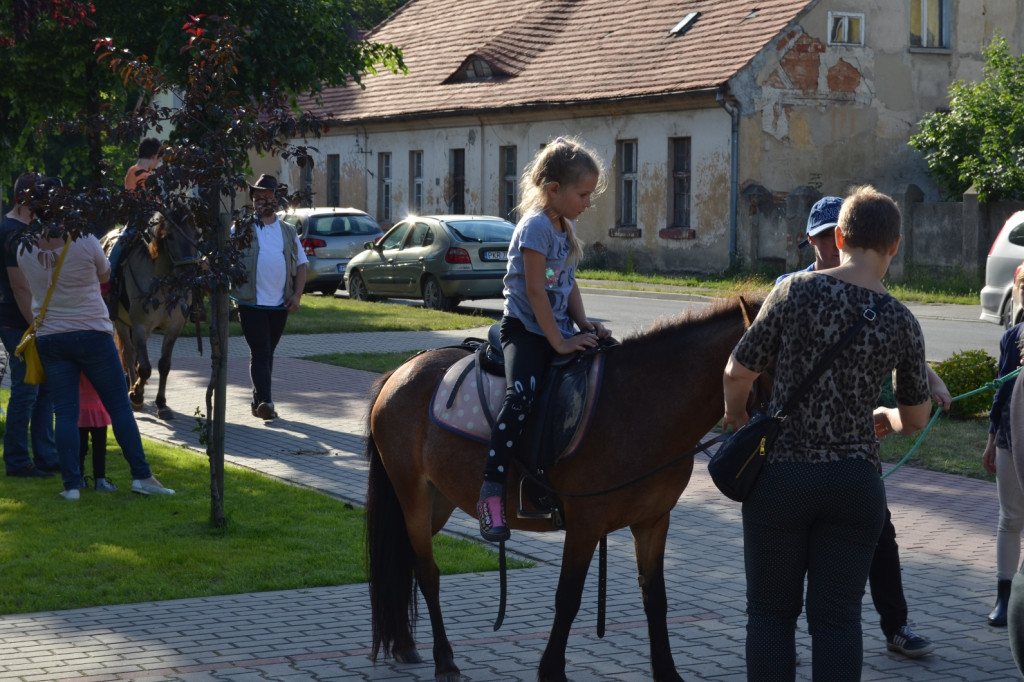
<point x="276" y="268"/>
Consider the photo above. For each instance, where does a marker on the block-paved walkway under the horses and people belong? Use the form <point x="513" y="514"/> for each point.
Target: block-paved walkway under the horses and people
<point x="946" y="527"/>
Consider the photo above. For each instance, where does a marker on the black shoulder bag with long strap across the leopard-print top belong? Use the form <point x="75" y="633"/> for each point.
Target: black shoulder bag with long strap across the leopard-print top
<point x="737" y="465"/>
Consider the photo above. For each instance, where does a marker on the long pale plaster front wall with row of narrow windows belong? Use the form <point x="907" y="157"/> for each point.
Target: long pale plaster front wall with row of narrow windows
<point x="708" y="129"/>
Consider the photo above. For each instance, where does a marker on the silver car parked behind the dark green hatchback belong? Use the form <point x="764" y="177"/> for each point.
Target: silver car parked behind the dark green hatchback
<point x="330" y="237"/>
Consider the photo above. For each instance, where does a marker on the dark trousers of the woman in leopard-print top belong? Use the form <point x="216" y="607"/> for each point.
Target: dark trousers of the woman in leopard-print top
<point x="821" y="522"/>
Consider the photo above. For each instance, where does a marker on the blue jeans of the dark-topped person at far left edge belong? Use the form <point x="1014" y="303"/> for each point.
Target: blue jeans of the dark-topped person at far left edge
<point x="29" y="405"/>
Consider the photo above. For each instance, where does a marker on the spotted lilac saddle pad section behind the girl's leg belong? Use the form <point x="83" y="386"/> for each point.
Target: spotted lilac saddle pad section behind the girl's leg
<point x="466" y="417"/>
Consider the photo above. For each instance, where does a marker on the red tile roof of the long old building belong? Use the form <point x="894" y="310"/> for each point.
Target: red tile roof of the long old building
<point x="559" y="52"/>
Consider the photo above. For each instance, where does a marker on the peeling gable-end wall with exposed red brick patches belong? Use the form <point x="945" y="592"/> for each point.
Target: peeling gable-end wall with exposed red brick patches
<point x="838" y="116"/>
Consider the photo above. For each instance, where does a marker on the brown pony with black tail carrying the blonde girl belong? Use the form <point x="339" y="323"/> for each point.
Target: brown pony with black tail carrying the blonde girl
<point x="662" y="394"/>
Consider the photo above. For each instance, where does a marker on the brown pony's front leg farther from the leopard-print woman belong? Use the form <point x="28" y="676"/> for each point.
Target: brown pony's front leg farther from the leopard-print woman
<point x="577" y="555"/>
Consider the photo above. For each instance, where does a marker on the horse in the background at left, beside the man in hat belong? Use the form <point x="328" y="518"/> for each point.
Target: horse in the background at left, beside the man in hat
<point x="149" y="303"/>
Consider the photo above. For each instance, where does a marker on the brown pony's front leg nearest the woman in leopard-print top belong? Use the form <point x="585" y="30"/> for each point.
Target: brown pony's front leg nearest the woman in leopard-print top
<point x="650" y="541"/>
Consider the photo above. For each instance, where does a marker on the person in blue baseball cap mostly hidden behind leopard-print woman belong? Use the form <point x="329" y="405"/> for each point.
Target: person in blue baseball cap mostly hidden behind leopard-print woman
<point x="885" y="577"/>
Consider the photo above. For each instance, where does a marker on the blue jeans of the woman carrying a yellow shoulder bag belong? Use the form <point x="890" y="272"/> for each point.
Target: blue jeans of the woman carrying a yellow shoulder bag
<point x="66" y="358"/>
